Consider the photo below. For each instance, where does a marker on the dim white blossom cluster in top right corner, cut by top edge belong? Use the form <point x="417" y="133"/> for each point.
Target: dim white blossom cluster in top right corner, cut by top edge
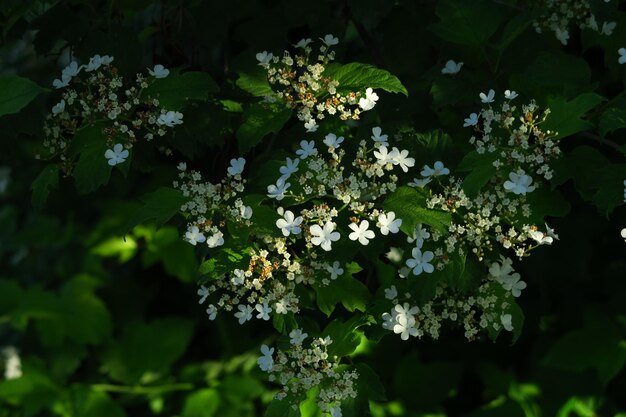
<point x="560" y="15"/>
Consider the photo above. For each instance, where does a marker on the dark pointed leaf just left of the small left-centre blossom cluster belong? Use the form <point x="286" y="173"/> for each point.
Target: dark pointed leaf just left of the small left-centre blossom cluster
<point x="159" y="205"/>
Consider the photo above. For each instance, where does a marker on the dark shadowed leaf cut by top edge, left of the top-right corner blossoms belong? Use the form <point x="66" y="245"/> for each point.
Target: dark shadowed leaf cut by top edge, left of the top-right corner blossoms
<point x="469" y="23"/>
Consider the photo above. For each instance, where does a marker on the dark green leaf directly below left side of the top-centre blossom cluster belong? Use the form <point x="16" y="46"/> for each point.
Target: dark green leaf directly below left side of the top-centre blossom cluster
<point x="259" y="121"/>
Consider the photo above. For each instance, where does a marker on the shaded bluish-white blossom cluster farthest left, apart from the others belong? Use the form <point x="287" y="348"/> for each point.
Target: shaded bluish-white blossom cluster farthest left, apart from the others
<point x="95" y="92"/>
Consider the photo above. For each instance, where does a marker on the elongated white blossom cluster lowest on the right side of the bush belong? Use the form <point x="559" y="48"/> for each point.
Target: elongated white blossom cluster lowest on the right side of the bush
<point x="485" y="308"/>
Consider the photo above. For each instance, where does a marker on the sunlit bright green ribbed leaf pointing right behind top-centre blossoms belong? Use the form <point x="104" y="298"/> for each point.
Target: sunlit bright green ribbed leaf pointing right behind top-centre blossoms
<point x="356" y="76"/>
